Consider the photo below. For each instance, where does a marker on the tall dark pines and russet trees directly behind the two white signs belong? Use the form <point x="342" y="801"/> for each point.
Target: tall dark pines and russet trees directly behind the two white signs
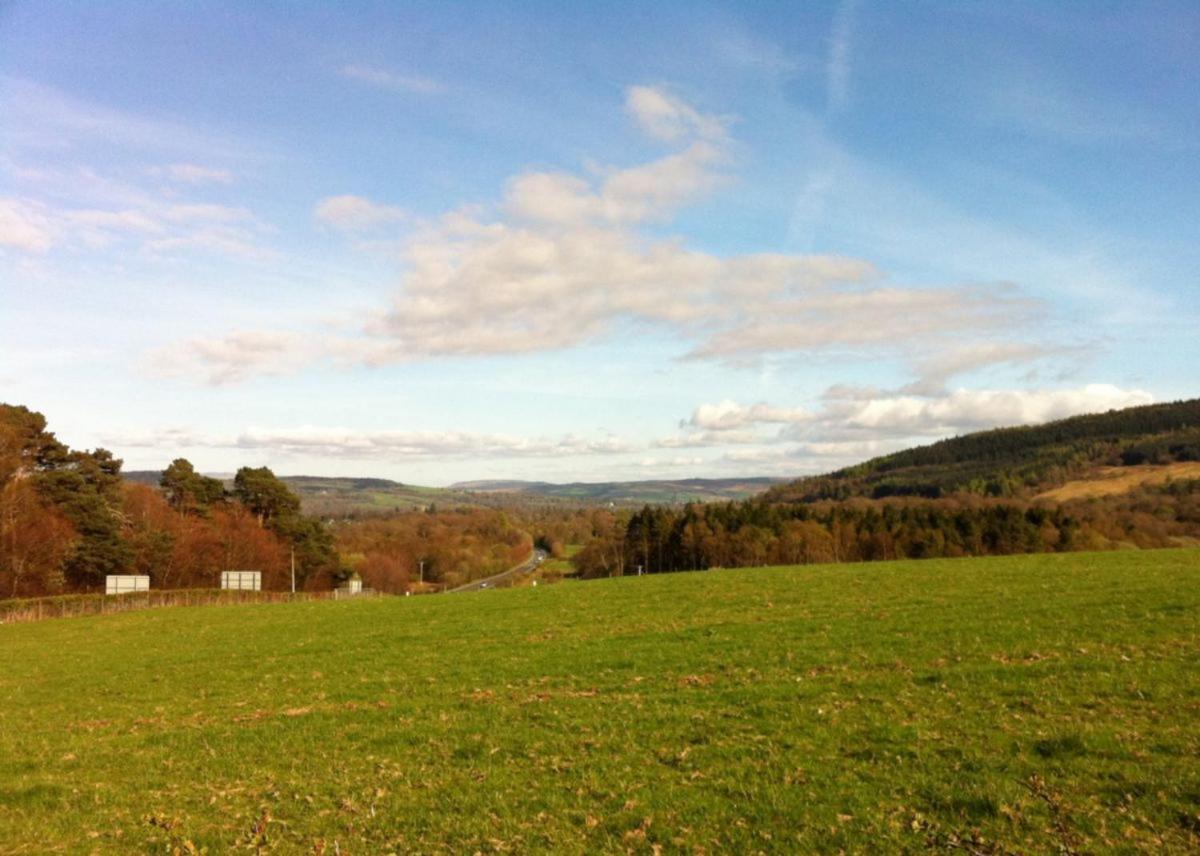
<point x="68" y="519"/>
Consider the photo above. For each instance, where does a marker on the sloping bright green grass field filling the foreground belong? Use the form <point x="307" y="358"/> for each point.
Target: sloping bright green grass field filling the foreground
<point x="1047" y="704"/>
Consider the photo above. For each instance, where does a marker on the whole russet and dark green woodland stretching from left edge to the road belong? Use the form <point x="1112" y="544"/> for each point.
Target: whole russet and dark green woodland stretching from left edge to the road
<point x="68" y="519"/>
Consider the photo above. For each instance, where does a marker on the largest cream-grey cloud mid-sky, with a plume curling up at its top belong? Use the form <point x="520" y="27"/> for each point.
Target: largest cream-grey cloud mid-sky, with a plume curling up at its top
<point x="571" y="259"/>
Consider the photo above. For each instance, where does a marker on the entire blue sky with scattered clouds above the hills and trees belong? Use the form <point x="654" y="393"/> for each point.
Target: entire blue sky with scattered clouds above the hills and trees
<point x="591" y="242"/>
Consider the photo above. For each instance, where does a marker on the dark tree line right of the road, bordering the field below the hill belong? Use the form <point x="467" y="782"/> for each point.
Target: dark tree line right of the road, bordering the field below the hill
<point x="663" y="540"/>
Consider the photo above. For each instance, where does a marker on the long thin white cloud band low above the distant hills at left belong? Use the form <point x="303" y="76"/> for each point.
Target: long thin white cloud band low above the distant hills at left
<point x="349" y="444"/>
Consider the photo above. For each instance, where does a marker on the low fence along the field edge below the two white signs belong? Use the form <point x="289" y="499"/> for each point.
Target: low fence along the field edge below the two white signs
<point x="71" y="606"/>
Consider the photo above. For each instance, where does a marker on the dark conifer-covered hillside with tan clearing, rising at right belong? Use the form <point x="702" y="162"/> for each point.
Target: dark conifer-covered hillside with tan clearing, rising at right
<point x="1016" y="462"/>
